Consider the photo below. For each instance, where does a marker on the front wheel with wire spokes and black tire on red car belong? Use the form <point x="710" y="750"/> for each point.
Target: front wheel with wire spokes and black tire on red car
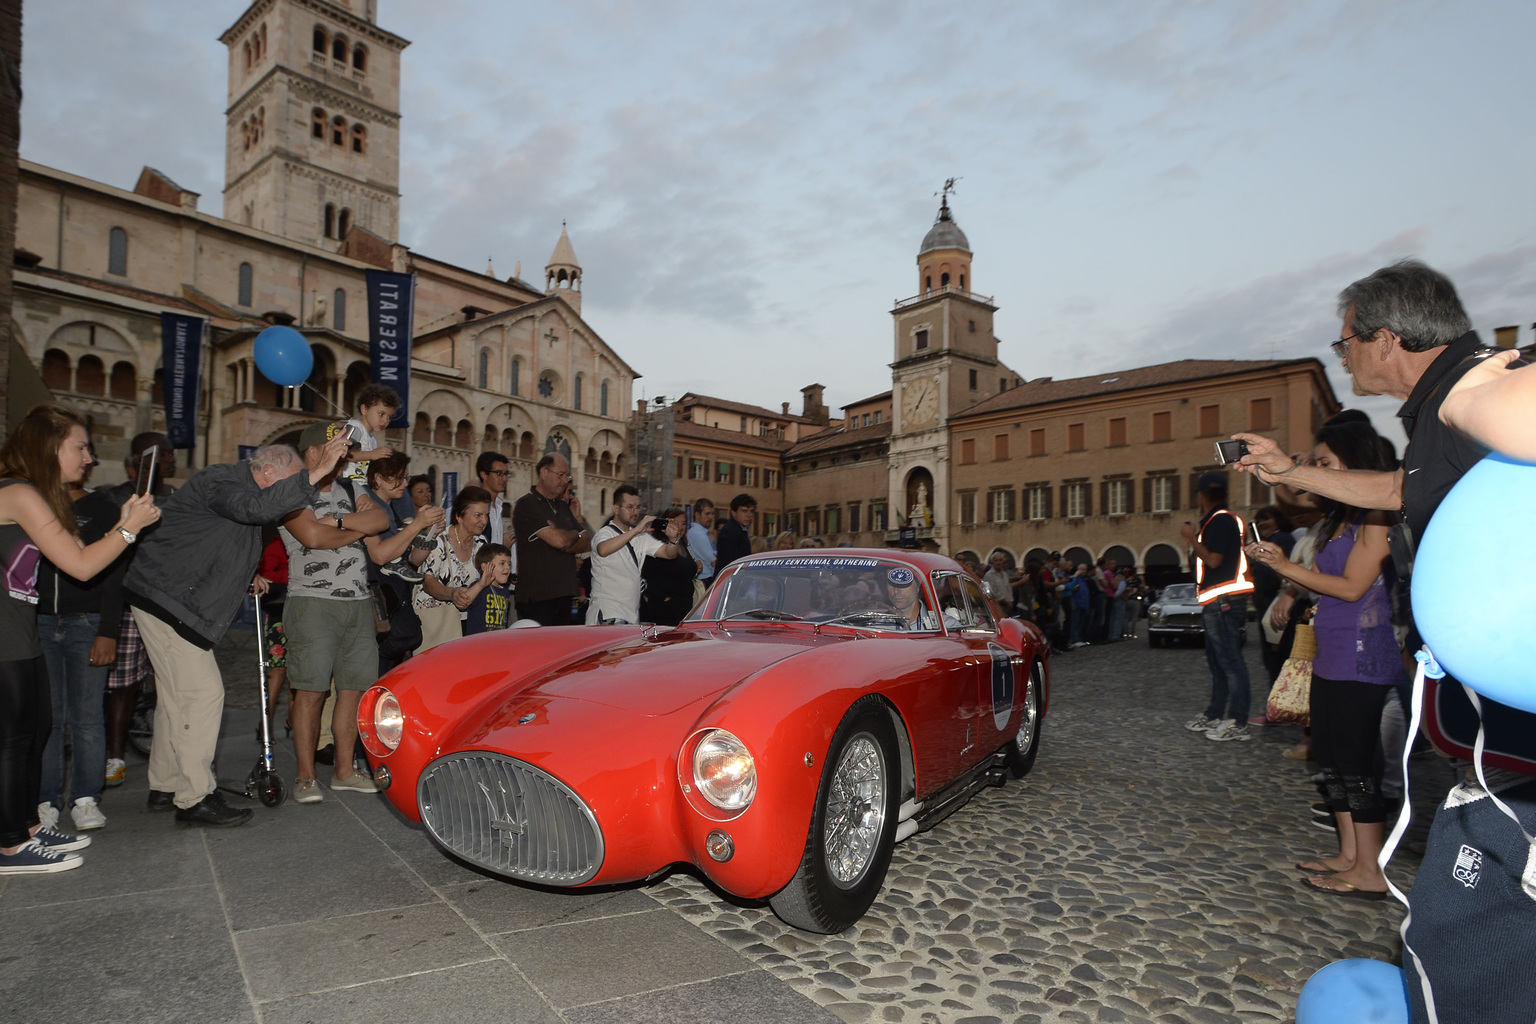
<point x="861" y="778"/>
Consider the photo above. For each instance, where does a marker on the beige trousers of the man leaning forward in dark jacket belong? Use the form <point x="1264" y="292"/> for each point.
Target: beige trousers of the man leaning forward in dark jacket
<point x="190" y="709"/>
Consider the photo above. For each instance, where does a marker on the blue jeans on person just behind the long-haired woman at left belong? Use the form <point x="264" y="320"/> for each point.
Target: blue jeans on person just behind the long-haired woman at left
<point x="78" y="696"/>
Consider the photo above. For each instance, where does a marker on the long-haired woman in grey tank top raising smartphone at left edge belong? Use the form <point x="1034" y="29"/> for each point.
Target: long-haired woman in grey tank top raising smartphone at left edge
<point x="45" y="454"/>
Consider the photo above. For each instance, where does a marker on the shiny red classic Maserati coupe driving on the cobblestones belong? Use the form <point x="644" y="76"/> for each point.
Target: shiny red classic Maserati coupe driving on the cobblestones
<point x="815" y="710"/>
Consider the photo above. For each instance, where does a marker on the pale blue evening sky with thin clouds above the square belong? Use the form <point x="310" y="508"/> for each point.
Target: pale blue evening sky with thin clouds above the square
<point x="747" y="185"/>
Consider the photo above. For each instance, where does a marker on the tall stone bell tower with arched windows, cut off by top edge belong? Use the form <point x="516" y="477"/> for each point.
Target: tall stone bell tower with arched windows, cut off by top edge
<point x="313" y="125"/>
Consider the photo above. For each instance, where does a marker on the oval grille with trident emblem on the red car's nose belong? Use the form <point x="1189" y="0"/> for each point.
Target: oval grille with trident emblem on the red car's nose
<point x="511" y="818"/>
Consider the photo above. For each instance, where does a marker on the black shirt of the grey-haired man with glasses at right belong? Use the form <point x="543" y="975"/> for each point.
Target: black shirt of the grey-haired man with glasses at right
<point x="1437" y="457"/>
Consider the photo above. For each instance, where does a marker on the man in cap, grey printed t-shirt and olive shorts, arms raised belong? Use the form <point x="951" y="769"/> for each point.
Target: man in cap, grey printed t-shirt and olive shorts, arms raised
<point x="328" y="619"/>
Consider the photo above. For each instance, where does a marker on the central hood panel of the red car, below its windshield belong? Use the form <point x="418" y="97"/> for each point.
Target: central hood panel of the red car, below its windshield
<point x="661" y="675"/>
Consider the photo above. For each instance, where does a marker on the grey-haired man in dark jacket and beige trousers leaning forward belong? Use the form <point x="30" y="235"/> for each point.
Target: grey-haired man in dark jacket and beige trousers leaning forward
<point x="187" y="584"/>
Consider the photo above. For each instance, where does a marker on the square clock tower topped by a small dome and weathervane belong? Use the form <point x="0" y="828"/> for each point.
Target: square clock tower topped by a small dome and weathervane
<point x="945" y="363"/>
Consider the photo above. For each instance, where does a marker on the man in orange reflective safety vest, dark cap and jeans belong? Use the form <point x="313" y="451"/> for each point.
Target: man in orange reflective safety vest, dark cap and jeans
<point x="1223" y="584"/>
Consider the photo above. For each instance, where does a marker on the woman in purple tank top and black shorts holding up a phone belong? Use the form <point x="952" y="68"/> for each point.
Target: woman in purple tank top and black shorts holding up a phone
<point x="1356" y="666"/>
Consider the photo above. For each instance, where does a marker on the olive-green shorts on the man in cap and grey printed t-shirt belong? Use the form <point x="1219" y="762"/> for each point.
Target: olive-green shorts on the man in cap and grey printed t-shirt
<point x="331" y="639"/>
